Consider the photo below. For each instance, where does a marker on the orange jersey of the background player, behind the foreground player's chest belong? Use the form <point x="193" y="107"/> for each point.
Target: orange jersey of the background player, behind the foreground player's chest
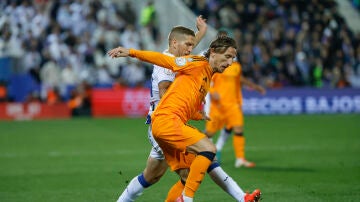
<point x="228" y="84"/>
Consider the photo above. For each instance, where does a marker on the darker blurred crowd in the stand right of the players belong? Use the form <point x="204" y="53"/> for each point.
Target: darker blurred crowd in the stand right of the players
<point x="288" y="43"/>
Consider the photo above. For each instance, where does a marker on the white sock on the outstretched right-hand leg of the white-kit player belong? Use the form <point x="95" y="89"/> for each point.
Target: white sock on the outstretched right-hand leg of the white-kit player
<point x="224" y="181"/>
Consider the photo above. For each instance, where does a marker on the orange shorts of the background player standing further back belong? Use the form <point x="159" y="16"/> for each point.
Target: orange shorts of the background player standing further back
<point x="224" y="116"/>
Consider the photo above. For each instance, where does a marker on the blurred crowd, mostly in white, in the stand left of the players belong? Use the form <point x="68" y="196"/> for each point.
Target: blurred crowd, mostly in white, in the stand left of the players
<point x="61" y="47"/>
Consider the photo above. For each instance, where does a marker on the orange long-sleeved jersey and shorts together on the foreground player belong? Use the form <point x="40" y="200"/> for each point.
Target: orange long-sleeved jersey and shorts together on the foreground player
<point x="180" y="103"/>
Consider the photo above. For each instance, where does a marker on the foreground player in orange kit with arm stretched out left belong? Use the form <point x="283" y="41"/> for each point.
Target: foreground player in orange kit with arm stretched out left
<point x="181" y="103"/>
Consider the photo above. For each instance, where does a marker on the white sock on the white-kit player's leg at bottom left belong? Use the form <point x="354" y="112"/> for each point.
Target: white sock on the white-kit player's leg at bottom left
<point x="132" y="191"/>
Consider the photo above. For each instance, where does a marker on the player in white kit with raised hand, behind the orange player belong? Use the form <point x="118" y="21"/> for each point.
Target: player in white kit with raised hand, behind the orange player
<point x="180" y="43"/>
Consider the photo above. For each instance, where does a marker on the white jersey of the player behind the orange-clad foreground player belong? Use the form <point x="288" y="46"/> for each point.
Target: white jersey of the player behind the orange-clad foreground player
<point x="159" y="74"/>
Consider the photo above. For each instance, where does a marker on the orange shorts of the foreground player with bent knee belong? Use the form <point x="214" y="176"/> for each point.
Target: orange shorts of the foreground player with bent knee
<point x="174" y="136"/>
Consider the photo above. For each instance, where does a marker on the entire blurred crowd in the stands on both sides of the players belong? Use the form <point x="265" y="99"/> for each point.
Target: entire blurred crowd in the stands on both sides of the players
<point x="62" y="45"/>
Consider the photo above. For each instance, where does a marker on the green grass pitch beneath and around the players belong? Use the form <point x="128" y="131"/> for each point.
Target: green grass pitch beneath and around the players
<point x="299" y="158"/>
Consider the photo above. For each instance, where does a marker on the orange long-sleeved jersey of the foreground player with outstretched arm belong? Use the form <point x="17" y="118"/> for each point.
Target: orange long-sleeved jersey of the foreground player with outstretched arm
<point x="186" y="93"/>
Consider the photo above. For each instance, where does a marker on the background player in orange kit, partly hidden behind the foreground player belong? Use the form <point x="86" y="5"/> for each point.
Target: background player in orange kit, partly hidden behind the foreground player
<point x="226" y="110"/>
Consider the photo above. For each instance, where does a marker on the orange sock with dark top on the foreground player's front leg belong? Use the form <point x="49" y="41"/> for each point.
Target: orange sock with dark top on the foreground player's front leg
<point x="197" y="172"/>
